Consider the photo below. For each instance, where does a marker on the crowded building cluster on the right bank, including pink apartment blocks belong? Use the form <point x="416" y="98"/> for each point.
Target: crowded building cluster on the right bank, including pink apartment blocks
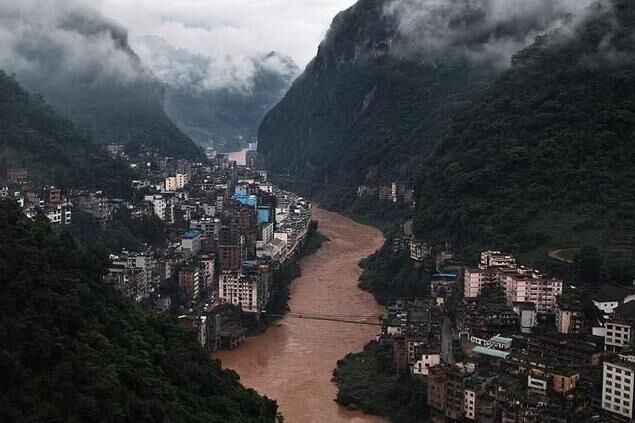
<point x="503" y="342"/>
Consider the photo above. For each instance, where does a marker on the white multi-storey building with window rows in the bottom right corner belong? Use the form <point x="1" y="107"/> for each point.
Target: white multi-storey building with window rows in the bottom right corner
<point x="618" y="386"/>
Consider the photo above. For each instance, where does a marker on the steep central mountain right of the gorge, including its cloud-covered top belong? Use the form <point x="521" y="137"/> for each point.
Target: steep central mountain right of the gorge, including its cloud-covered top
<point x="383" y="87"/>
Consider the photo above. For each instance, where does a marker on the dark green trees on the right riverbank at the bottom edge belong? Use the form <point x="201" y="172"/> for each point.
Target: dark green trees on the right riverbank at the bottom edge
<point x="366" y="382"/>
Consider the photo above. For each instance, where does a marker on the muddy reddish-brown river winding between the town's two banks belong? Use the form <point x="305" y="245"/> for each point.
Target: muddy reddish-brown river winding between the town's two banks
<point x="292" y="362"/>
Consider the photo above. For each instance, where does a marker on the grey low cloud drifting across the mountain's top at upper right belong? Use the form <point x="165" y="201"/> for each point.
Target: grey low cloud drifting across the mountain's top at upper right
<point x="482" y="31"/>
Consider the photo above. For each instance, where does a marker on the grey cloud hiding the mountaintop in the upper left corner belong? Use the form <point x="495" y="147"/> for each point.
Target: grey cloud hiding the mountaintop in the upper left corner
<point x="49" y="41"/>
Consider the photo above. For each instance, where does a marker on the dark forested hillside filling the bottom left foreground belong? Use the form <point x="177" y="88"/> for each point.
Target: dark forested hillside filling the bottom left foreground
<point x="73" y="350"/>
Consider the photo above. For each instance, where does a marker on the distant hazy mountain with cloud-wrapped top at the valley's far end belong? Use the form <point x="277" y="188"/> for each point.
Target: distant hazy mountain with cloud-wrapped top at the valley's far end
<point x="207" y="105"/>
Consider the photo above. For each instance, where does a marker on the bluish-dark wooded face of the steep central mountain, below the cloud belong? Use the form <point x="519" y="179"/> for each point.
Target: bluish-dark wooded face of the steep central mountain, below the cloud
<point x="361" y="114"/>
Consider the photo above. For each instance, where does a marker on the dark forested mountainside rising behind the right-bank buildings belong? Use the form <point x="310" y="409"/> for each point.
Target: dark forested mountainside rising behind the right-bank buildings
<point x="543" y="160"/>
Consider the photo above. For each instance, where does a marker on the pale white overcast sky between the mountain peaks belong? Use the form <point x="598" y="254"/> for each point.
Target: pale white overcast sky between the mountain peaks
<point x="231" y="27"/>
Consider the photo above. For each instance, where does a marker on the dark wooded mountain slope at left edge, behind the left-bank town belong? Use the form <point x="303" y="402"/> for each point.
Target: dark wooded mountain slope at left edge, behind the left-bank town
<point x="35" y="136"/>
